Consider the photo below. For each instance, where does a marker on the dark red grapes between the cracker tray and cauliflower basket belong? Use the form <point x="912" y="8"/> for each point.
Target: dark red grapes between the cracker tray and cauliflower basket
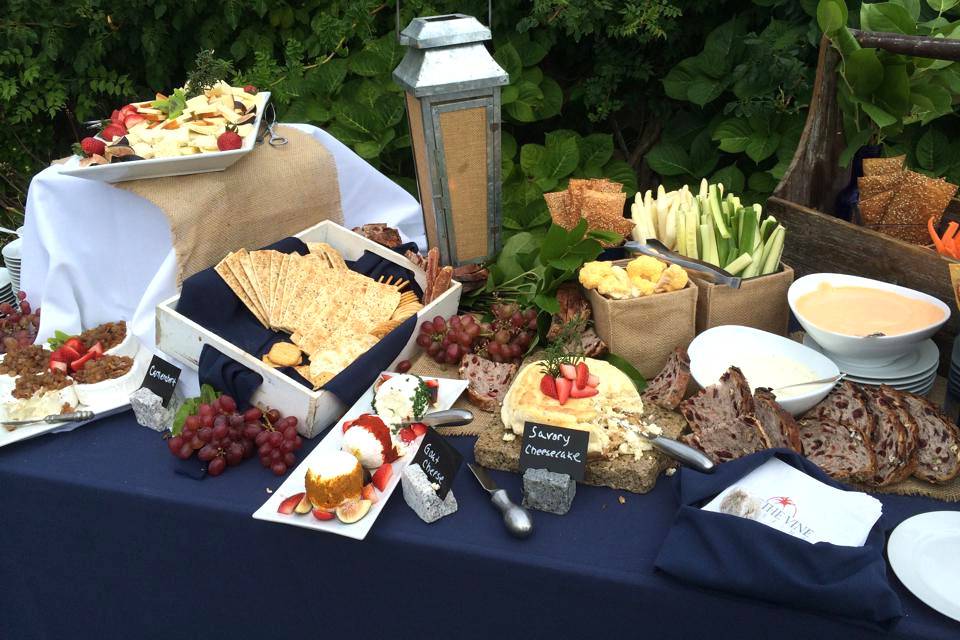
<point x="504" y="339"/>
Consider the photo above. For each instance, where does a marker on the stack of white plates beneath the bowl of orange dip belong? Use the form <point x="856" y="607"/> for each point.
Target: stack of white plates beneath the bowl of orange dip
<point x="914" y="371"/>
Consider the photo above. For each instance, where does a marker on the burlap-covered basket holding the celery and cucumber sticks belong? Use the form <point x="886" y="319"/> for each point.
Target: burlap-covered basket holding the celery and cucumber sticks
<point x="760" y="302"/>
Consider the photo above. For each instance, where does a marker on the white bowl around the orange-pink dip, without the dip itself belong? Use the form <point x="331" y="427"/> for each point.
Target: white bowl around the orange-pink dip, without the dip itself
<point x="868" y="352"/>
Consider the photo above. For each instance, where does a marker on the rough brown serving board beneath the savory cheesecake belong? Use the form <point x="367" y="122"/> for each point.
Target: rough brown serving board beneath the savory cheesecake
<point x="624" y="473"/>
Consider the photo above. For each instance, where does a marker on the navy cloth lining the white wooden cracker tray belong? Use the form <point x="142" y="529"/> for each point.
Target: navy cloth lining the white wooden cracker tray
<point x="207" y="300"/>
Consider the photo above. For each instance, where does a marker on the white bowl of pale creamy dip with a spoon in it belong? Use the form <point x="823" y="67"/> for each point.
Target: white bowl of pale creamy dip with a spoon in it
<point x="717" y="349"/>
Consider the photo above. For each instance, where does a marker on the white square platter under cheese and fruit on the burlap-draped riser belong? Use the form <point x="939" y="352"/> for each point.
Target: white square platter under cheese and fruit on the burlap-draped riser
<point x="177" y="166"/>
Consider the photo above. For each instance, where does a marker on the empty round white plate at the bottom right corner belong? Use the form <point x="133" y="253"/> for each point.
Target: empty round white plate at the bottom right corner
<point x="924" y="552"/>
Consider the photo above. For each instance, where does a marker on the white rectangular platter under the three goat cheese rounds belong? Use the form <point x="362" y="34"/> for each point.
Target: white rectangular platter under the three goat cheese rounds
<point x="447" y="393"/>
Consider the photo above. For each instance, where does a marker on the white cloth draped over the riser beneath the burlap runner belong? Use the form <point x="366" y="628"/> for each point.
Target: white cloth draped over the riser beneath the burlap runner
<point x="93" y="253"/>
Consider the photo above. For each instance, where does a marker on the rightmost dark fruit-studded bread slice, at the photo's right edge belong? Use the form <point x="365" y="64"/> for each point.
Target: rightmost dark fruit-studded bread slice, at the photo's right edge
<point x="938" y="441"/>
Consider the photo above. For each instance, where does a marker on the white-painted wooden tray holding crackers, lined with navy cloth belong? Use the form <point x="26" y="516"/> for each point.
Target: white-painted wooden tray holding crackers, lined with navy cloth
<point x="183" y="339"/>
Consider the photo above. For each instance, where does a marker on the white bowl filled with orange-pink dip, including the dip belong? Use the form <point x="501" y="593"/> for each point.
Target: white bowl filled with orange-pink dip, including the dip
<point x="838" y="311"/>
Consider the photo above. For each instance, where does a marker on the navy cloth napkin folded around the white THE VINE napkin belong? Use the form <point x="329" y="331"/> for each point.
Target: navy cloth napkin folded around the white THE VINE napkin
<point x="737" y="555"/>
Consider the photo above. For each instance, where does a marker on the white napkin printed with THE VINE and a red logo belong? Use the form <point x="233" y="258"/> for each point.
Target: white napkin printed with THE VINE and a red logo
<point x="782" y="497"/>
